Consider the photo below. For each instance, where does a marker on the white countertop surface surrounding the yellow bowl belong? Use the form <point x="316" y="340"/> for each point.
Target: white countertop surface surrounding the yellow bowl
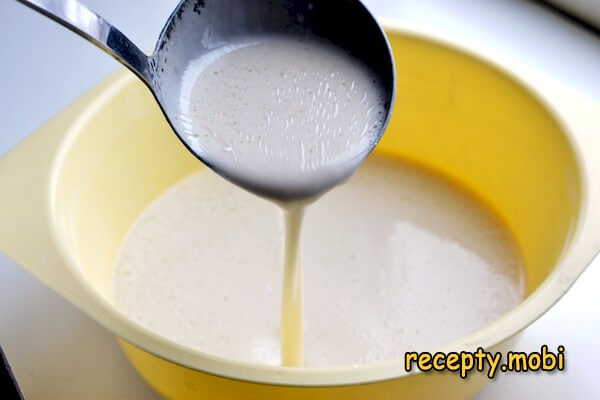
<point x="59" y="353"/>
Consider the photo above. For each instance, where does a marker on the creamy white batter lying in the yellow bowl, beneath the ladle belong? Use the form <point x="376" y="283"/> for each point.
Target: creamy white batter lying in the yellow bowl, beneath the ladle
<point x="395" y="260"/>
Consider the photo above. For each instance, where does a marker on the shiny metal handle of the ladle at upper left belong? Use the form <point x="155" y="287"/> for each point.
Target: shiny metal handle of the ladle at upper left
<point x="89" y="25"/>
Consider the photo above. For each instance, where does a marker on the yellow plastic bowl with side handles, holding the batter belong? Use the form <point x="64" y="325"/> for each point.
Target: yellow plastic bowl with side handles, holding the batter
<point x="522" y="143"/>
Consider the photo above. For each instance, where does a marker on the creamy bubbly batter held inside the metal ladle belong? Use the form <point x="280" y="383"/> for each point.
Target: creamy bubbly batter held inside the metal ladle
<point x="282" y="116"/>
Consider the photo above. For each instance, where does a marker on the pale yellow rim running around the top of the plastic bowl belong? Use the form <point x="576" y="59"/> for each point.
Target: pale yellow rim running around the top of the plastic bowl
<point x="565" y="273"/>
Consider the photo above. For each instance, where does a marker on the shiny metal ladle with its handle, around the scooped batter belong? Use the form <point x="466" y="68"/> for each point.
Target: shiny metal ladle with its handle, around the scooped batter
<point x="197" y="27"/>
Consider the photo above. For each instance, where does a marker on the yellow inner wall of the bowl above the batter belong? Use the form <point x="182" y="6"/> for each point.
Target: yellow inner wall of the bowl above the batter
<point x="454" y="114"/>
